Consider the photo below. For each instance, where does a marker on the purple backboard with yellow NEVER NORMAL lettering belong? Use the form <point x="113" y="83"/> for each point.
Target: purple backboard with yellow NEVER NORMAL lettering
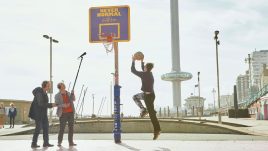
<point x="109" y="21"/>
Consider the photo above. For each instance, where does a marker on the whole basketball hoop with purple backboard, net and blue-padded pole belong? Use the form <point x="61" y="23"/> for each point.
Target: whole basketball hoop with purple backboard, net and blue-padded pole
<point x="110" y="25"/>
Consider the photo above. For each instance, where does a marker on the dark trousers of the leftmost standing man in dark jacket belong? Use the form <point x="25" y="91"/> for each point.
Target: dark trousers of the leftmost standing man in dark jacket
<point x="41" y="124"/>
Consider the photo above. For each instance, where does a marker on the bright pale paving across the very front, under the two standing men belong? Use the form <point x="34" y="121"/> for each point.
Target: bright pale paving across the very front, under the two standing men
<point x="143" y="145"/>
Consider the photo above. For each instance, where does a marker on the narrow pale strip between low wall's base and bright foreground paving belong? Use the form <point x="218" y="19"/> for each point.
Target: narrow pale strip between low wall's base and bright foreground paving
<point x="148" y="137"/>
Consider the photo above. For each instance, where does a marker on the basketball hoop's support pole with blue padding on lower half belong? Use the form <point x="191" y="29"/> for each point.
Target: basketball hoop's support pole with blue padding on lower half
<point x="117" y="121"/>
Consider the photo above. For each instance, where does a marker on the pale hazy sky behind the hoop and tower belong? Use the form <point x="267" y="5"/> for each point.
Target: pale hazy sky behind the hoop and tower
<point x="24" y="59"/>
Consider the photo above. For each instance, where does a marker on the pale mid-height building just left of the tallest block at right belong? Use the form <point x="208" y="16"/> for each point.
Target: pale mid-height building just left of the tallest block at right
<point x="242" y="87"/>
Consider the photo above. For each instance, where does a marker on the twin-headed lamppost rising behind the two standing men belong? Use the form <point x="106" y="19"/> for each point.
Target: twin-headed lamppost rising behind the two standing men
<point x="51" y="40"/>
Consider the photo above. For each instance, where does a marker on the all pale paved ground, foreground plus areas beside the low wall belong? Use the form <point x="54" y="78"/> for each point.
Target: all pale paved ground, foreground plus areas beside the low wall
<point x="144" y="142"/>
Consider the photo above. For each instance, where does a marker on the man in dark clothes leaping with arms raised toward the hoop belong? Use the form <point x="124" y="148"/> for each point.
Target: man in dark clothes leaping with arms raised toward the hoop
<point x="147" y="94"/>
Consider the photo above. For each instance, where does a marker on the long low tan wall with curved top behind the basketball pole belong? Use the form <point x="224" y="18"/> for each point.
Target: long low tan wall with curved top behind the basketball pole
<point x="143" y="126"/>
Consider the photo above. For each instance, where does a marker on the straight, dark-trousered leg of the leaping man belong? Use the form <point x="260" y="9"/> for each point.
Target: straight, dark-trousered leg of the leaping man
<point x="149" y="102"/>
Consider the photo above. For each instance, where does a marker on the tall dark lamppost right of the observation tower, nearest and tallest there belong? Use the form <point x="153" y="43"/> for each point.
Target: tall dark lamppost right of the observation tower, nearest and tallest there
<point x="218" y="83"/>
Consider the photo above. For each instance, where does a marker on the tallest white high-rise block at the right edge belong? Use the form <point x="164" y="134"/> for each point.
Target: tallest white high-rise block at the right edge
<point x="258" y="59"/>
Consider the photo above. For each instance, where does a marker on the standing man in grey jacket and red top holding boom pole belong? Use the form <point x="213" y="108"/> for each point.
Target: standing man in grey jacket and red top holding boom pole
<point x="65" y="112"/>
